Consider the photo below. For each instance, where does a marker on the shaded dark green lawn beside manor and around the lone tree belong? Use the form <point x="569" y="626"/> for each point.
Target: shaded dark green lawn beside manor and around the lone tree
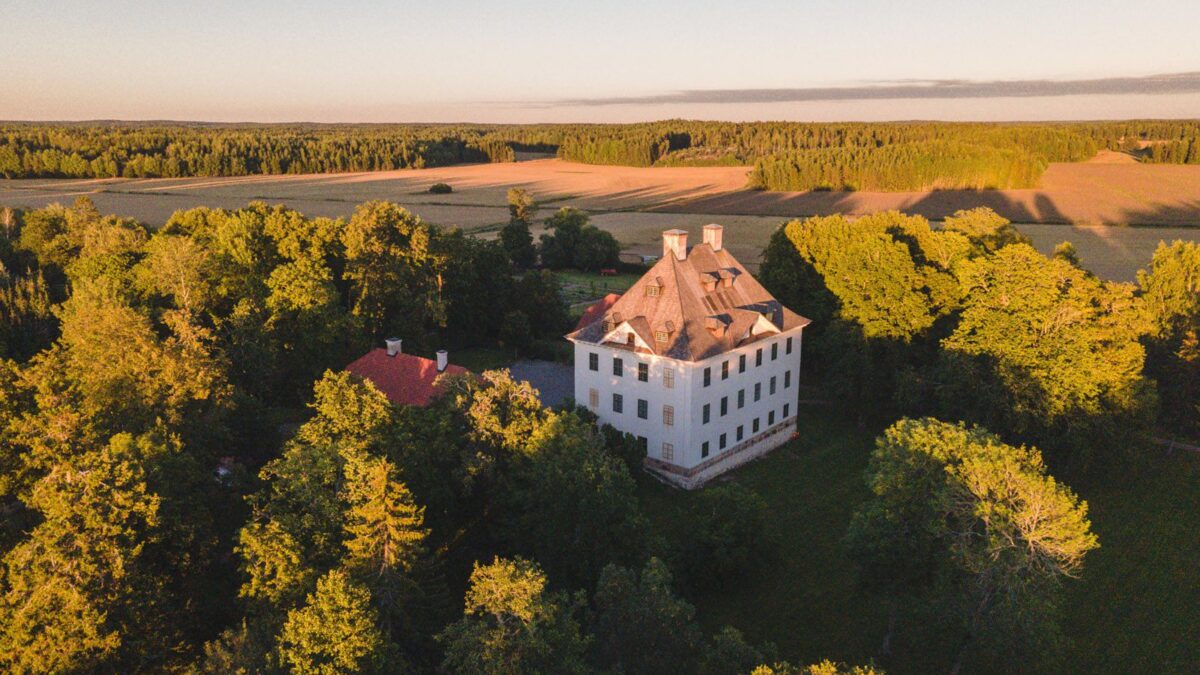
<point x="1137" y="608"/>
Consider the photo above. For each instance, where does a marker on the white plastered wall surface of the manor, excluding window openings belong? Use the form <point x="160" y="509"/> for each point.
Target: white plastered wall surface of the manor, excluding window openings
<point x="689" y="397"/>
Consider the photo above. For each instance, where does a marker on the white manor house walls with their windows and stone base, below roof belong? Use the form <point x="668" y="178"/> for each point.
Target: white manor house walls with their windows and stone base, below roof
<point x="751" y="398"/>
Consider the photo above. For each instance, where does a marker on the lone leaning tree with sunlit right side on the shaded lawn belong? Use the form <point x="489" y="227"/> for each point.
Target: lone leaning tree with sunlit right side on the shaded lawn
<point x="977" y="523"/>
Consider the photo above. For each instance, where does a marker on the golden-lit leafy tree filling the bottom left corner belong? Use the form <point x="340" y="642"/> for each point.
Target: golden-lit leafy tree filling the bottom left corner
<point x="69" y="590"/>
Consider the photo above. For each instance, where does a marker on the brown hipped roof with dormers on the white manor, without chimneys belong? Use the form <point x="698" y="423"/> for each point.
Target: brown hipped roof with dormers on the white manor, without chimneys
<point x="707" y="304"/>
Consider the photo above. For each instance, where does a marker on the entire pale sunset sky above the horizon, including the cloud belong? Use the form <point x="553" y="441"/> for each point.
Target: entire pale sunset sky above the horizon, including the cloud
<point x="617" y="61"/>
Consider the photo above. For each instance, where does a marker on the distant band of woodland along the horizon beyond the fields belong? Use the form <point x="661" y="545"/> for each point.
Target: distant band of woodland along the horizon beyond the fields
<point x="784" y="156"/>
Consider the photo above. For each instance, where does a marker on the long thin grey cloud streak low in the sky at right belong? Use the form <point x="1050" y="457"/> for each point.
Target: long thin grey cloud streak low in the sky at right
<point x="1169" y="83"/>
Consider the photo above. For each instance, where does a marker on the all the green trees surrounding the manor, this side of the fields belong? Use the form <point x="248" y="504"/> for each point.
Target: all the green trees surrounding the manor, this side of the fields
<point x="191" y="483"/>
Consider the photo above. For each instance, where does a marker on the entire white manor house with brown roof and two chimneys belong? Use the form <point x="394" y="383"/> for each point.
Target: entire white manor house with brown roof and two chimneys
<point x="697" y="360"/>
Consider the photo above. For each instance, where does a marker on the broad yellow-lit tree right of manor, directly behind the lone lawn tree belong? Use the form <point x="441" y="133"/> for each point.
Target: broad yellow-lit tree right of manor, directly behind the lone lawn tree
<point x="1048" y="354"/>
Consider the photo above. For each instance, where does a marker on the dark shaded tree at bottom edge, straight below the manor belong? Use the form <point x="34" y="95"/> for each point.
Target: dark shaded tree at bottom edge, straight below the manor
<point x="639" y="624"/>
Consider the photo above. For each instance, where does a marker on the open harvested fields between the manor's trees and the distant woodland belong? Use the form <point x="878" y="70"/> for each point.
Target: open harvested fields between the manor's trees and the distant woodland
<point x="638" y="204"/>
